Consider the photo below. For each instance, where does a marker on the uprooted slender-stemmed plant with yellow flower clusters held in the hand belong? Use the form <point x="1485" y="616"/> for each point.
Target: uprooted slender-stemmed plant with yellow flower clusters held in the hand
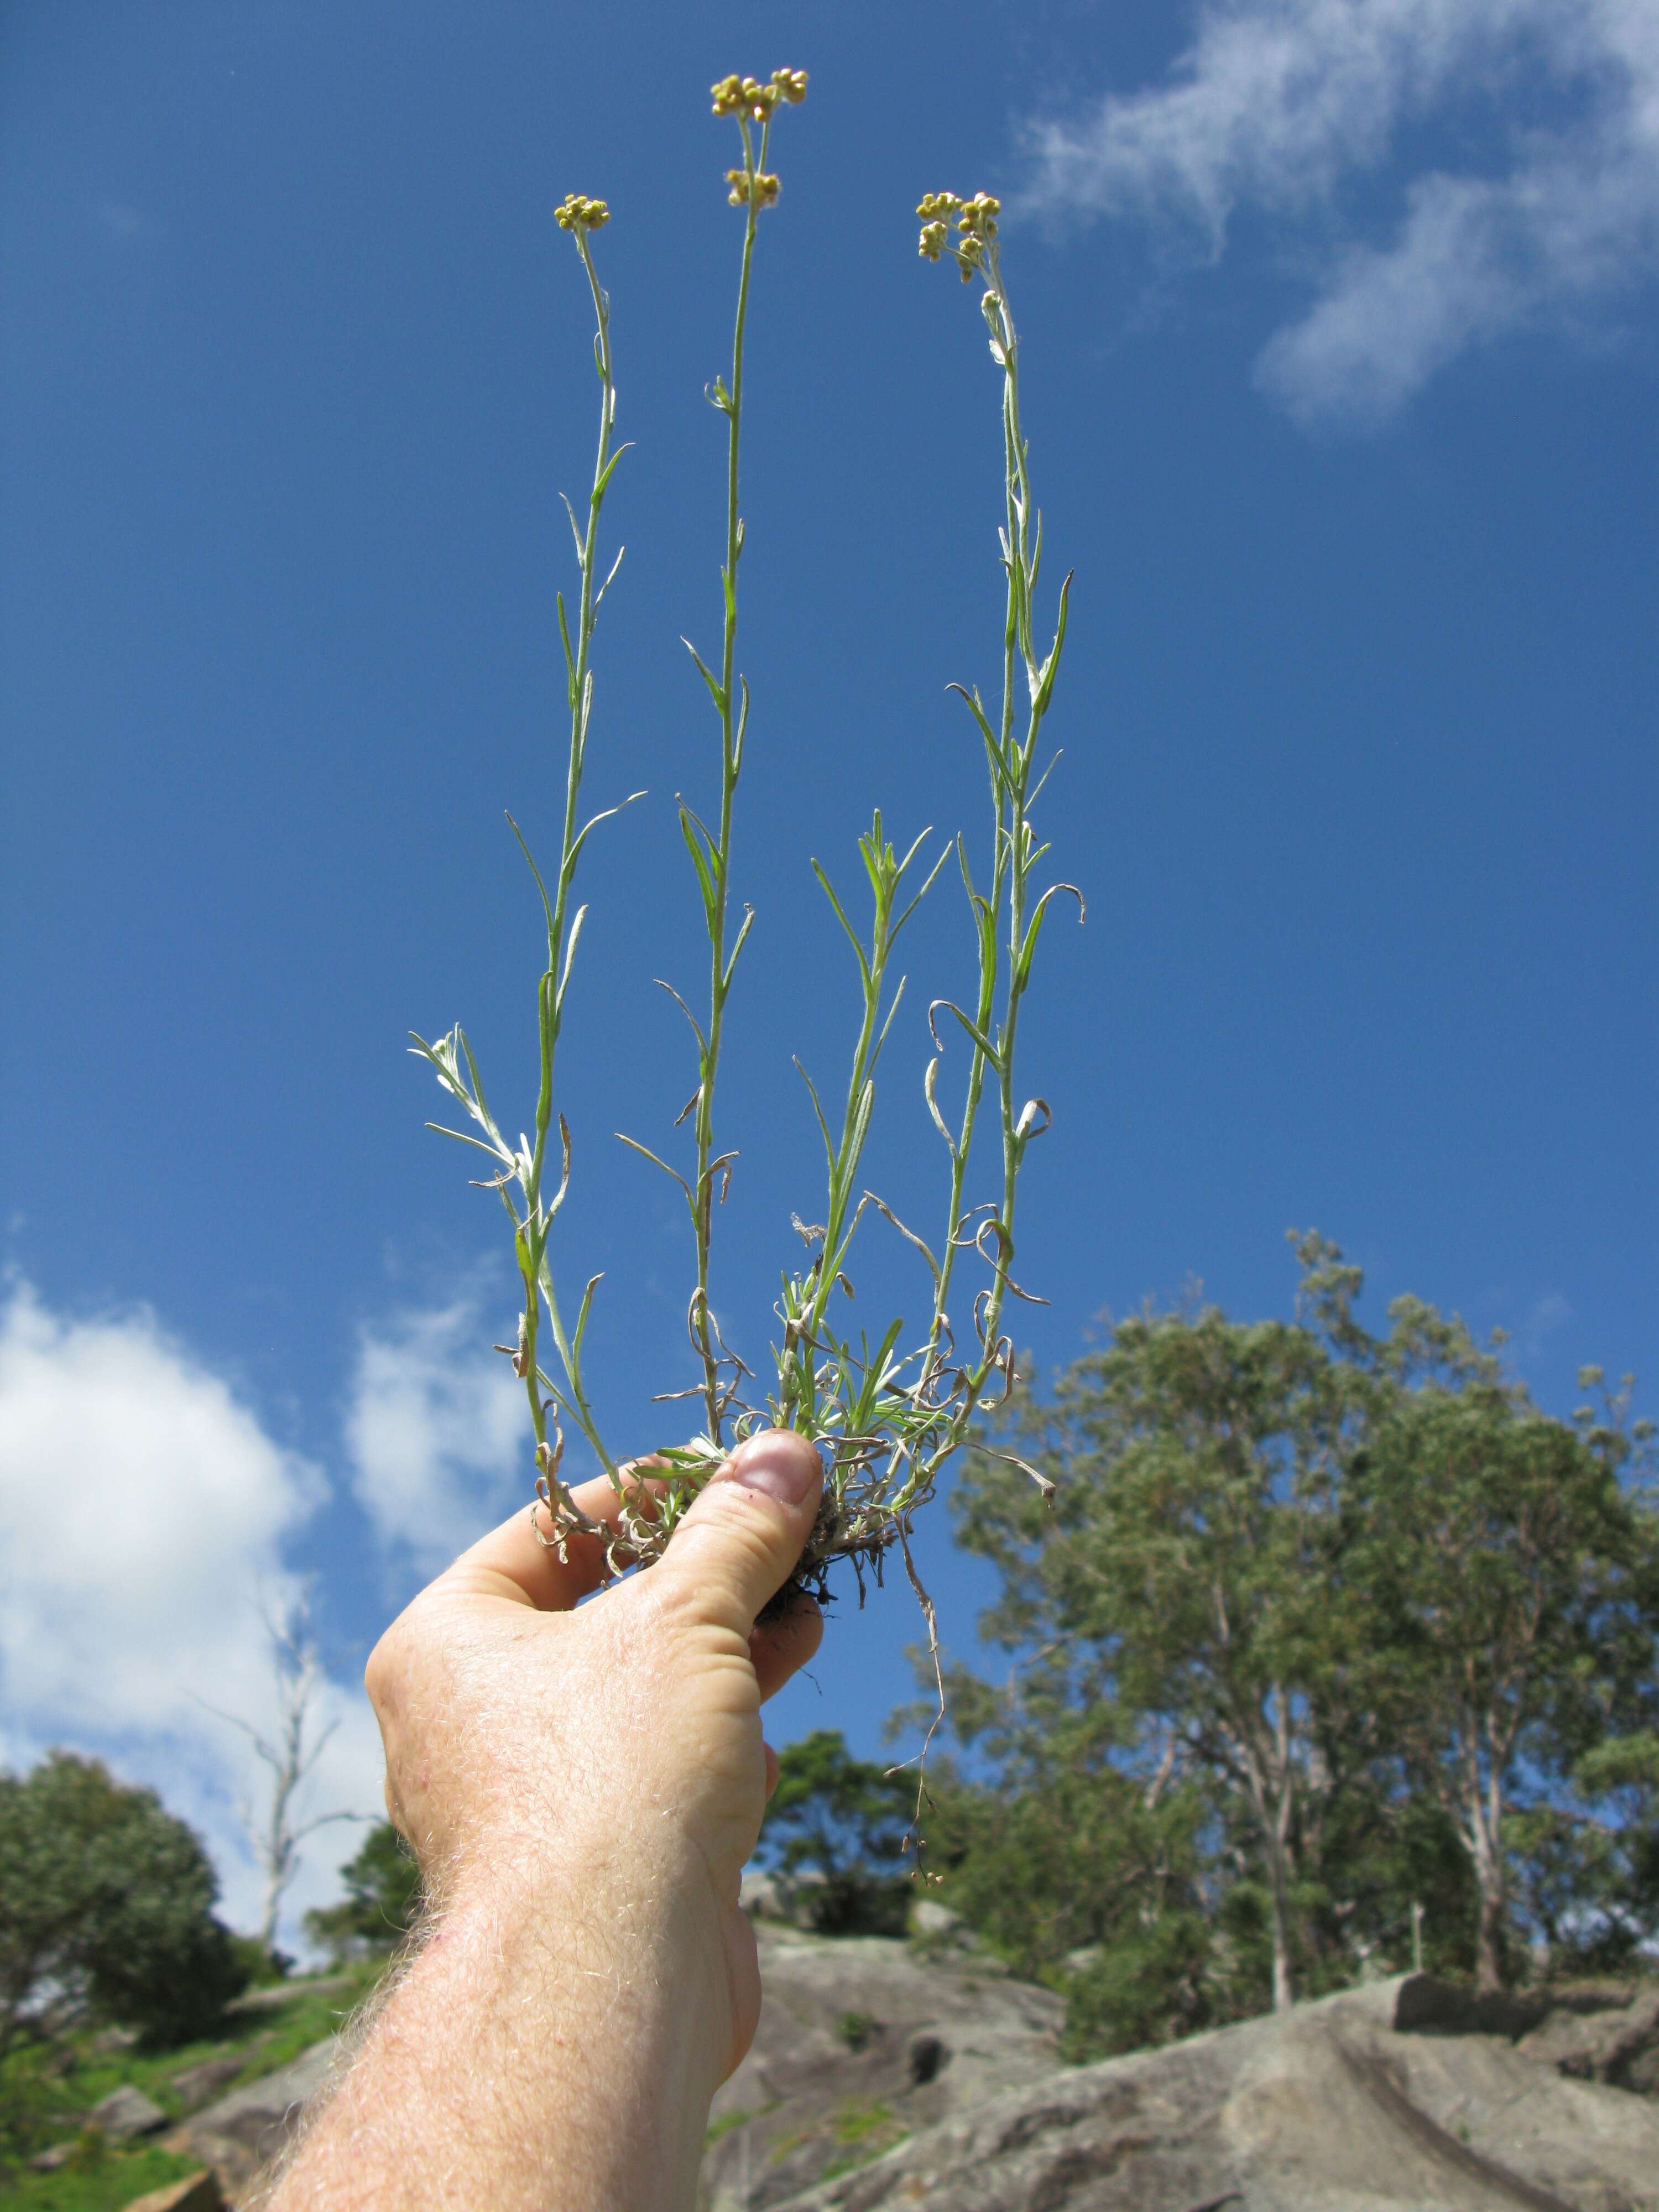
<point x="886" y="1412"/>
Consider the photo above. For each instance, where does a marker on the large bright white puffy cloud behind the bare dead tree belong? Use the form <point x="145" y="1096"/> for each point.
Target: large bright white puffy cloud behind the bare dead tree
<point x="143" y="1516"/>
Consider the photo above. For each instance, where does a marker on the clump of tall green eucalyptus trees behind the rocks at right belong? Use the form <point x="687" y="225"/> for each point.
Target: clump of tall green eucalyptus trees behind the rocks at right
<point x="1375" y="1623"/>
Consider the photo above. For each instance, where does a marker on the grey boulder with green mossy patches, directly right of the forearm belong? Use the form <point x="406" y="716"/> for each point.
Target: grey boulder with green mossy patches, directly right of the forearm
<point x="864" y="2041"/>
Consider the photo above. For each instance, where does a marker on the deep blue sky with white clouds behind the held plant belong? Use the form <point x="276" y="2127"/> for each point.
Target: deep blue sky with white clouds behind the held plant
<point x="1339" y="353"/>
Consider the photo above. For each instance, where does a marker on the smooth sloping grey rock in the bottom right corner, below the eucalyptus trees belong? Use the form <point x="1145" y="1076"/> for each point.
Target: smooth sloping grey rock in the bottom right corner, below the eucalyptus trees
<point x="1333" y="2109"/>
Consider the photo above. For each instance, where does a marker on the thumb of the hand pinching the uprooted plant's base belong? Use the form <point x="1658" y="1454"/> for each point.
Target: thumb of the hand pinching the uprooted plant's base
<point x="747" y="1530"/>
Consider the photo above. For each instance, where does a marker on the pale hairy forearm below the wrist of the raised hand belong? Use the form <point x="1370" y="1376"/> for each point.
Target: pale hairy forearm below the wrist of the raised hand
<point x="536" y="2056"/>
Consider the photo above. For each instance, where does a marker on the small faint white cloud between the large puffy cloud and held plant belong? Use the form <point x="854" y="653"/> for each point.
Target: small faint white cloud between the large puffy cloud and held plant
<point x="437" y="1432"/>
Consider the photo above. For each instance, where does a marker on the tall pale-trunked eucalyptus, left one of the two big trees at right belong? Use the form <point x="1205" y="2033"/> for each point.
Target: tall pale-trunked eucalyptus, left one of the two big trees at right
<point x="1193" y="1547"/>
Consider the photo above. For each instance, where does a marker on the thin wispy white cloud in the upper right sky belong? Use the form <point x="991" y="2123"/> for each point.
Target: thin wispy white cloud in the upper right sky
<point x="1282" y="105"/>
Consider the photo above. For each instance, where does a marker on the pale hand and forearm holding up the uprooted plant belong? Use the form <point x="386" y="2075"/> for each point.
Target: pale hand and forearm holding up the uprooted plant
<point x="583" y="1786"/>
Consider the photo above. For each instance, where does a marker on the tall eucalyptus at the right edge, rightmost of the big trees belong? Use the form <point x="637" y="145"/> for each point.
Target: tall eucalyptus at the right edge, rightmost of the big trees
<point x="1510" y="1567"/>
